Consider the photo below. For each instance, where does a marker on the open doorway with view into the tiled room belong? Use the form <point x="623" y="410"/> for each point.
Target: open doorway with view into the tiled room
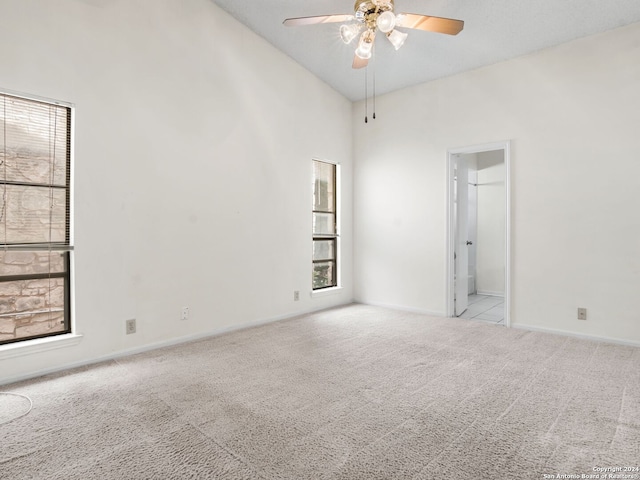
<point x="479" y="233"/>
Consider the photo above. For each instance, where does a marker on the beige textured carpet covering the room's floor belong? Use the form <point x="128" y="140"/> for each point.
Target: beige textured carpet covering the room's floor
<point x="351" y="393"/>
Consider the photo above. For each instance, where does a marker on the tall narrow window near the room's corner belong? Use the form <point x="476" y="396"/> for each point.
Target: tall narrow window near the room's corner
<point x="325" y="226"/>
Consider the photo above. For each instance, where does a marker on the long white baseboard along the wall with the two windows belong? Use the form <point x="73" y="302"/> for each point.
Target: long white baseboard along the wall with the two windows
<point x="157" y="345"/>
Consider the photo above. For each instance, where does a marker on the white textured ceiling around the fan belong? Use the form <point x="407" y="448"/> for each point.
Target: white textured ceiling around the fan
<point x="495" y="30"/>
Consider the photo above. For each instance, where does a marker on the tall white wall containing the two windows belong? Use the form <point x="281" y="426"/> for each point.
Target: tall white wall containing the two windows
<point x="193" y="146"/>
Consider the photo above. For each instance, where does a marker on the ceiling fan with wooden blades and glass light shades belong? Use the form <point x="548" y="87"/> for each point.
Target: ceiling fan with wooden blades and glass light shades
<point x="371" y="16"/>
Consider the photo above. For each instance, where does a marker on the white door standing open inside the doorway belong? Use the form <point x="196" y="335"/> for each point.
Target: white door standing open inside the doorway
<point x="461" y="249"/>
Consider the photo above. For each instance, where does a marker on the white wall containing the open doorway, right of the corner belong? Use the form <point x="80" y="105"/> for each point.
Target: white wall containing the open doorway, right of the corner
<point x="571" y="113"/>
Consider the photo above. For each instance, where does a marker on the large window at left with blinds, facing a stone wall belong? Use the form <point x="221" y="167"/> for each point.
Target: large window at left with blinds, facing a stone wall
<point x="35" y="193"/>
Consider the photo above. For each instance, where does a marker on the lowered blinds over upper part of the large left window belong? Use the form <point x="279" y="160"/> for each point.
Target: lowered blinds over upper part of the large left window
<point x="34" y="173"/>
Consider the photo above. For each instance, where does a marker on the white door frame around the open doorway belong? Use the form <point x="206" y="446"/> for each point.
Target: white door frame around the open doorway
<point x="505" y="146"/>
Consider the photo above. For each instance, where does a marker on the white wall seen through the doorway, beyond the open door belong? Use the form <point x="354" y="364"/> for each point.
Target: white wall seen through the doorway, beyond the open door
<point x="490" y="268"/>
